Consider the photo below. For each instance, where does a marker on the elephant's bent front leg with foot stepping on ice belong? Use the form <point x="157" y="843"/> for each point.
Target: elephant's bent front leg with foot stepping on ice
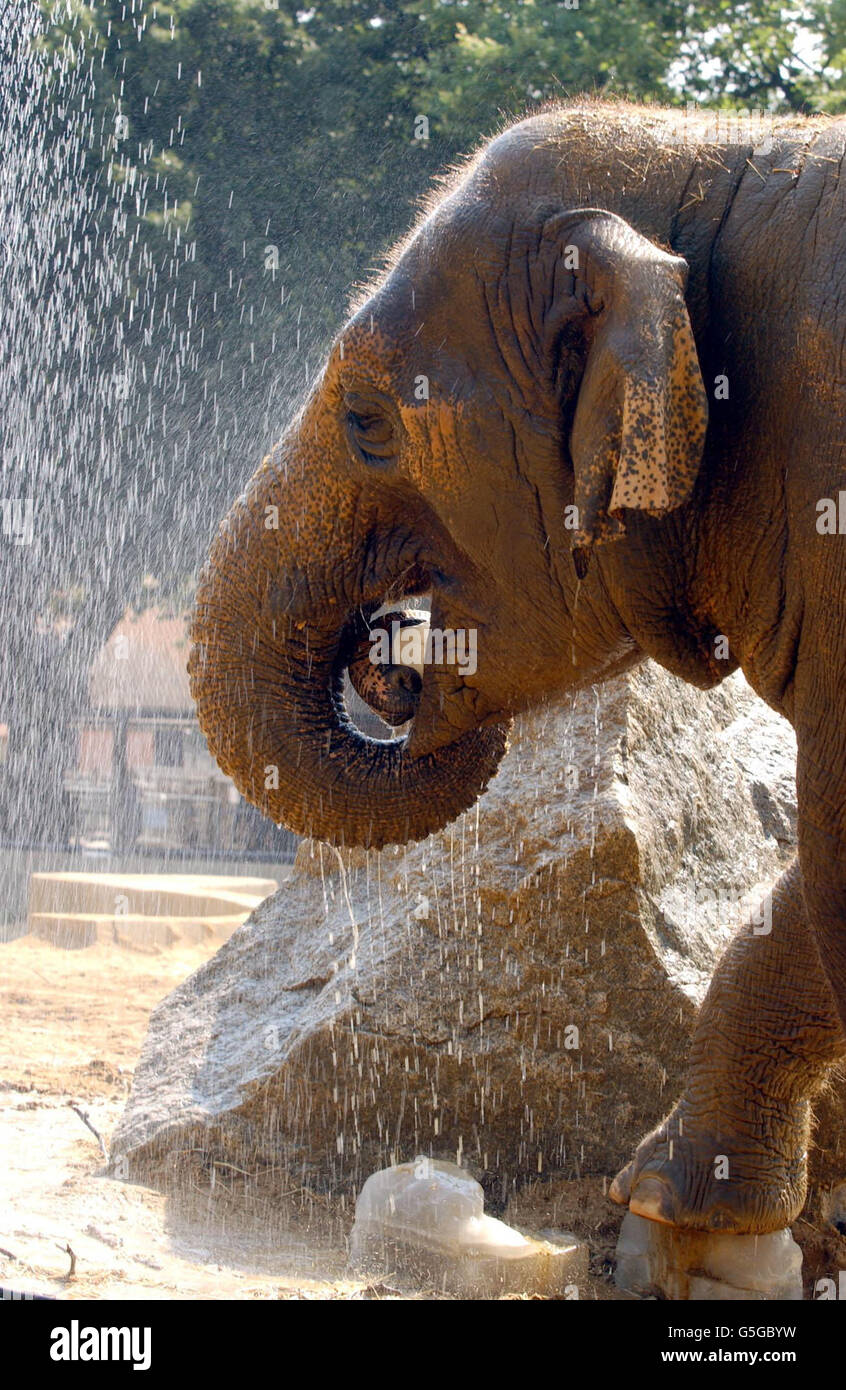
<point x="731" y="1156"/>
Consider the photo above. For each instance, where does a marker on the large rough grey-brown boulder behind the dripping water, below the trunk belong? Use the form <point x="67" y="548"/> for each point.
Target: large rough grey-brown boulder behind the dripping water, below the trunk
<point x="516" y="993"/>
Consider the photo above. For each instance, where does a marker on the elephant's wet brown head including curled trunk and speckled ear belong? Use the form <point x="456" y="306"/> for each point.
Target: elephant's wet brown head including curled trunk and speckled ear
<point x="516" y="390"/>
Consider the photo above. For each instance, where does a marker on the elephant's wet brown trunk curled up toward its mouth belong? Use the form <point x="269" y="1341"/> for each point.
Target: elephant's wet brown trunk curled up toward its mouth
<point x="273" y="635"/>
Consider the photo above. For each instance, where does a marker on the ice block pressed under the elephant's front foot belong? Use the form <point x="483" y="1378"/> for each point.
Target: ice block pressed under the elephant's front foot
<point x="666" y="1263"/>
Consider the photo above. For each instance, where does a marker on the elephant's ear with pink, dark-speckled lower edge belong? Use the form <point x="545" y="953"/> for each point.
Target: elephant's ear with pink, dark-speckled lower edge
<point x="640" y="422"/>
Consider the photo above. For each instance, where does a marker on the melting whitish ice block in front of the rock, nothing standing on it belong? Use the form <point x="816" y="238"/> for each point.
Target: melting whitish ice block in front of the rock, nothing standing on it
<point x="427" y="1221"/>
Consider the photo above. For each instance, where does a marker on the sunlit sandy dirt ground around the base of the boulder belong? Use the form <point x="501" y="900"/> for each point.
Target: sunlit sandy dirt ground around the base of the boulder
<point x="72" y="1029"/>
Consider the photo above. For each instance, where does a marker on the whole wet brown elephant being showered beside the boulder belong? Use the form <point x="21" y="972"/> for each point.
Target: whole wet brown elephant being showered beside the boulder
<point x="594" y="408"/>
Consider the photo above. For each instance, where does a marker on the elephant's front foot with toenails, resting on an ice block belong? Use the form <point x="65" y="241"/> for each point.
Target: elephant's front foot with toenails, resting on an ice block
<point x="697" y="1175"/>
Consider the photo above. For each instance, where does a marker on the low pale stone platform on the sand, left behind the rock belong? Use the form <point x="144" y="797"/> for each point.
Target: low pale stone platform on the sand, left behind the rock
<point x="78" y="910"/>
